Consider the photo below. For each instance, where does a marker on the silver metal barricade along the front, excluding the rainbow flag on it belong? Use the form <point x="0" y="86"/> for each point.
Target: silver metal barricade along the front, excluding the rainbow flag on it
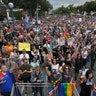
<point x="20" y="89"/>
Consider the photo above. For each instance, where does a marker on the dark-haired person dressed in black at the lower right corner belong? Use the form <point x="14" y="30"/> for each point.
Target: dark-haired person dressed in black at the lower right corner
<point x="86" y="84"/>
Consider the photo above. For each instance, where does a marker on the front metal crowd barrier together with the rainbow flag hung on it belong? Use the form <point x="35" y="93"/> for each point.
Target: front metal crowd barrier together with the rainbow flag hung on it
<point x="67" y="89"/>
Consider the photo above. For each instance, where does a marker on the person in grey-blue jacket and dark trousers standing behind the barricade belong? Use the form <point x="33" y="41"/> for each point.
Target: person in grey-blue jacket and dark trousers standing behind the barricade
<point x="37" y="77"/>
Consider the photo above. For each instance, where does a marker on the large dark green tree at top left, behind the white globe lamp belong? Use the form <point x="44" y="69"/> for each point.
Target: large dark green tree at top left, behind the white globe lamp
<point x="31" y="5"/>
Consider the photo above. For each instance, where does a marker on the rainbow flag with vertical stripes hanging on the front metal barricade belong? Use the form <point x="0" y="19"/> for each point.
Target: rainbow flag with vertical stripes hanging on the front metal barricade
<point x="65" y="89"/>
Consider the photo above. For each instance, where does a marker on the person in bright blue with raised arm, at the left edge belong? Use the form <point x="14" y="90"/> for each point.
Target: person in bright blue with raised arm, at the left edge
<point x="7" y="81"/>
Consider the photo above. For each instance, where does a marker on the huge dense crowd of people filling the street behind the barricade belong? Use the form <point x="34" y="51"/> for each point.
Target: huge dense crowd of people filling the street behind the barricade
<point x="58" y="45"/>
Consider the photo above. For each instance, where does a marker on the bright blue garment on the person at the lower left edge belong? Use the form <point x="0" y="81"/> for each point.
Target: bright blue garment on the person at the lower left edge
<point x="7" y="86"/>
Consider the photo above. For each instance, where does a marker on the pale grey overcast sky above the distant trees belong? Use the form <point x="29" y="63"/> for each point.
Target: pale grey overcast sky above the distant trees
<point x="58" y="3"/>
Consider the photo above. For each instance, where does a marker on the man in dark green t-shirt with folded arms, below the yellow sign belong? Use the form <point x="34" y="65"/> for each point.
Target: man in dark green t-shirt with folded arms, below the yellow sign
<point x="25" y="71"/>
